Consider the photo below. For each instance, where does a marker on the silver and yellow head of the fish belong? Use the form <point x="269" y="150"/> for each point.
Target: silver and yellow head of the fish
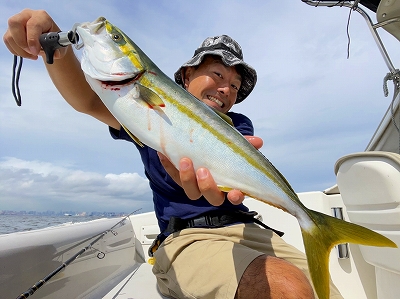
<point x="107" y="53"/>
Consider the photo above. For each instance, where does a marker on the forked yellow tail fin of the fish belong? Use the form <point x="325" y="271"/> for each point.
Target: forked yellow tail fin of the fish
<point x="323" y="235"/>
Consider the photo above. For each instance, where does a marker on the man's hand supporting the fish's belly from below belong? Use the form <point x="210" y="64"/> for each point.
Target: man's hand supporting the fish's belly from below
<point x="200" y="182"/>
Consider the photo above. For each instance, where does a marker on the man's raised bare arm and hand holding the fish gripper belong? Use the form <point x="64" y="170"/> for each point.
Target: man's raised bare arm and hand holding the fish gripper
<point x="22" y="39"/>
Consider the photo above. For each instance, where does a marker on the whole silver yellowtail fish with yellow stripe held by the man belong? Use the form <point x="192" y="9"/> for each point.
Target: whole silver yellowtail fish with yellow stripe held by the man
<point x="157" y="112"/>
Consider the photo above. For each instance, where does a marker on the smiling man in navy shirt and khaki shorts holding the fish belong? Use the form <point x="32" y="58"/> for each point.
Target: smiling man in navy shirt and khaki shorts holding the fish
<point x="238" y="259"/>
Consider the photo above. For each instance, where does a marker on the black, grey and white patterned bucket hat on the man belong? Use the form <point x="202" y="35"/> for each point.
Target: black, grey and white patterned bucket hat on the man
<point x="231" y="54"/>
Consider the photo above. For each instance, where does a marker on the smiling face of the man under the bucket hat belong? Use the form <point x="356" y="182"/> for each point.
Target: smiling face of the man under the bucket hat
<point x="213" y="83"/>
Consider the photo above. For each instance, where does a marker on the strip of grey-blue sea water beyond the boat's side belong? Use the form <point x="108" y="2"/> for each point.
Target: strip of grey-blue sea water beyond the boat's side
<point x="18" y="223"/>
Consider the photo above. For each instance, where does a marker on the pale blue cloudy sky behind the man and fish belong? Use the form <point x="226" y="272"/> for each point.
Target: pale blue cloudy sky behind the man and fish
<point x="311" y="105"/>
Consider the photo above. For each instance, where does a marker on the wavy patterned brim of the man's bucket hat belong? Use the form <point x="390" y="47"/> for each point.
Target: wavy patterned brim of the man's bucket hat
<point x="249" y="75"/>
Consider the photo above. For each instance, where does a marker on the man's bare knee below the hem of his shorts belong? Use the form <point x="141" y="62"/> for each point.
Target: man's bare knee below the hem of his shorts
<point x="271" y="277"/>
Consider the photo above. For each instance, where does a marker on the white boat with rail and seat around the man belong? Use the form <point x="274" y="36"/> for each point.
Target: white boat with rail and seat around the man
<point x="107" y="258"/>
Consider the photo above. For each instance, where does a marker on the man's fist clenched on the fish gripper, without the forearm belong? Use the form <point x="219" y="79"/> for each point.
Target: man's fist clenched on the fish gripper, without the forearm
<point x="24" y="30"/>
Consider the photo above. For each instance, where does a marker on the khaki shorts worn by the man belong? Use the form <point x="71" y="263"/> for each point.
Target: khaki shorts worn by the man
<point x="208" y="263"/>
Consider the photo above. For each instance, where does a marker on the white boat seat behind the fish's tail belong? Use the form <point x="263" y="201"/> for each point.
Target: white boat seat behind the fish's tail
<point x="369" y="183"/>
